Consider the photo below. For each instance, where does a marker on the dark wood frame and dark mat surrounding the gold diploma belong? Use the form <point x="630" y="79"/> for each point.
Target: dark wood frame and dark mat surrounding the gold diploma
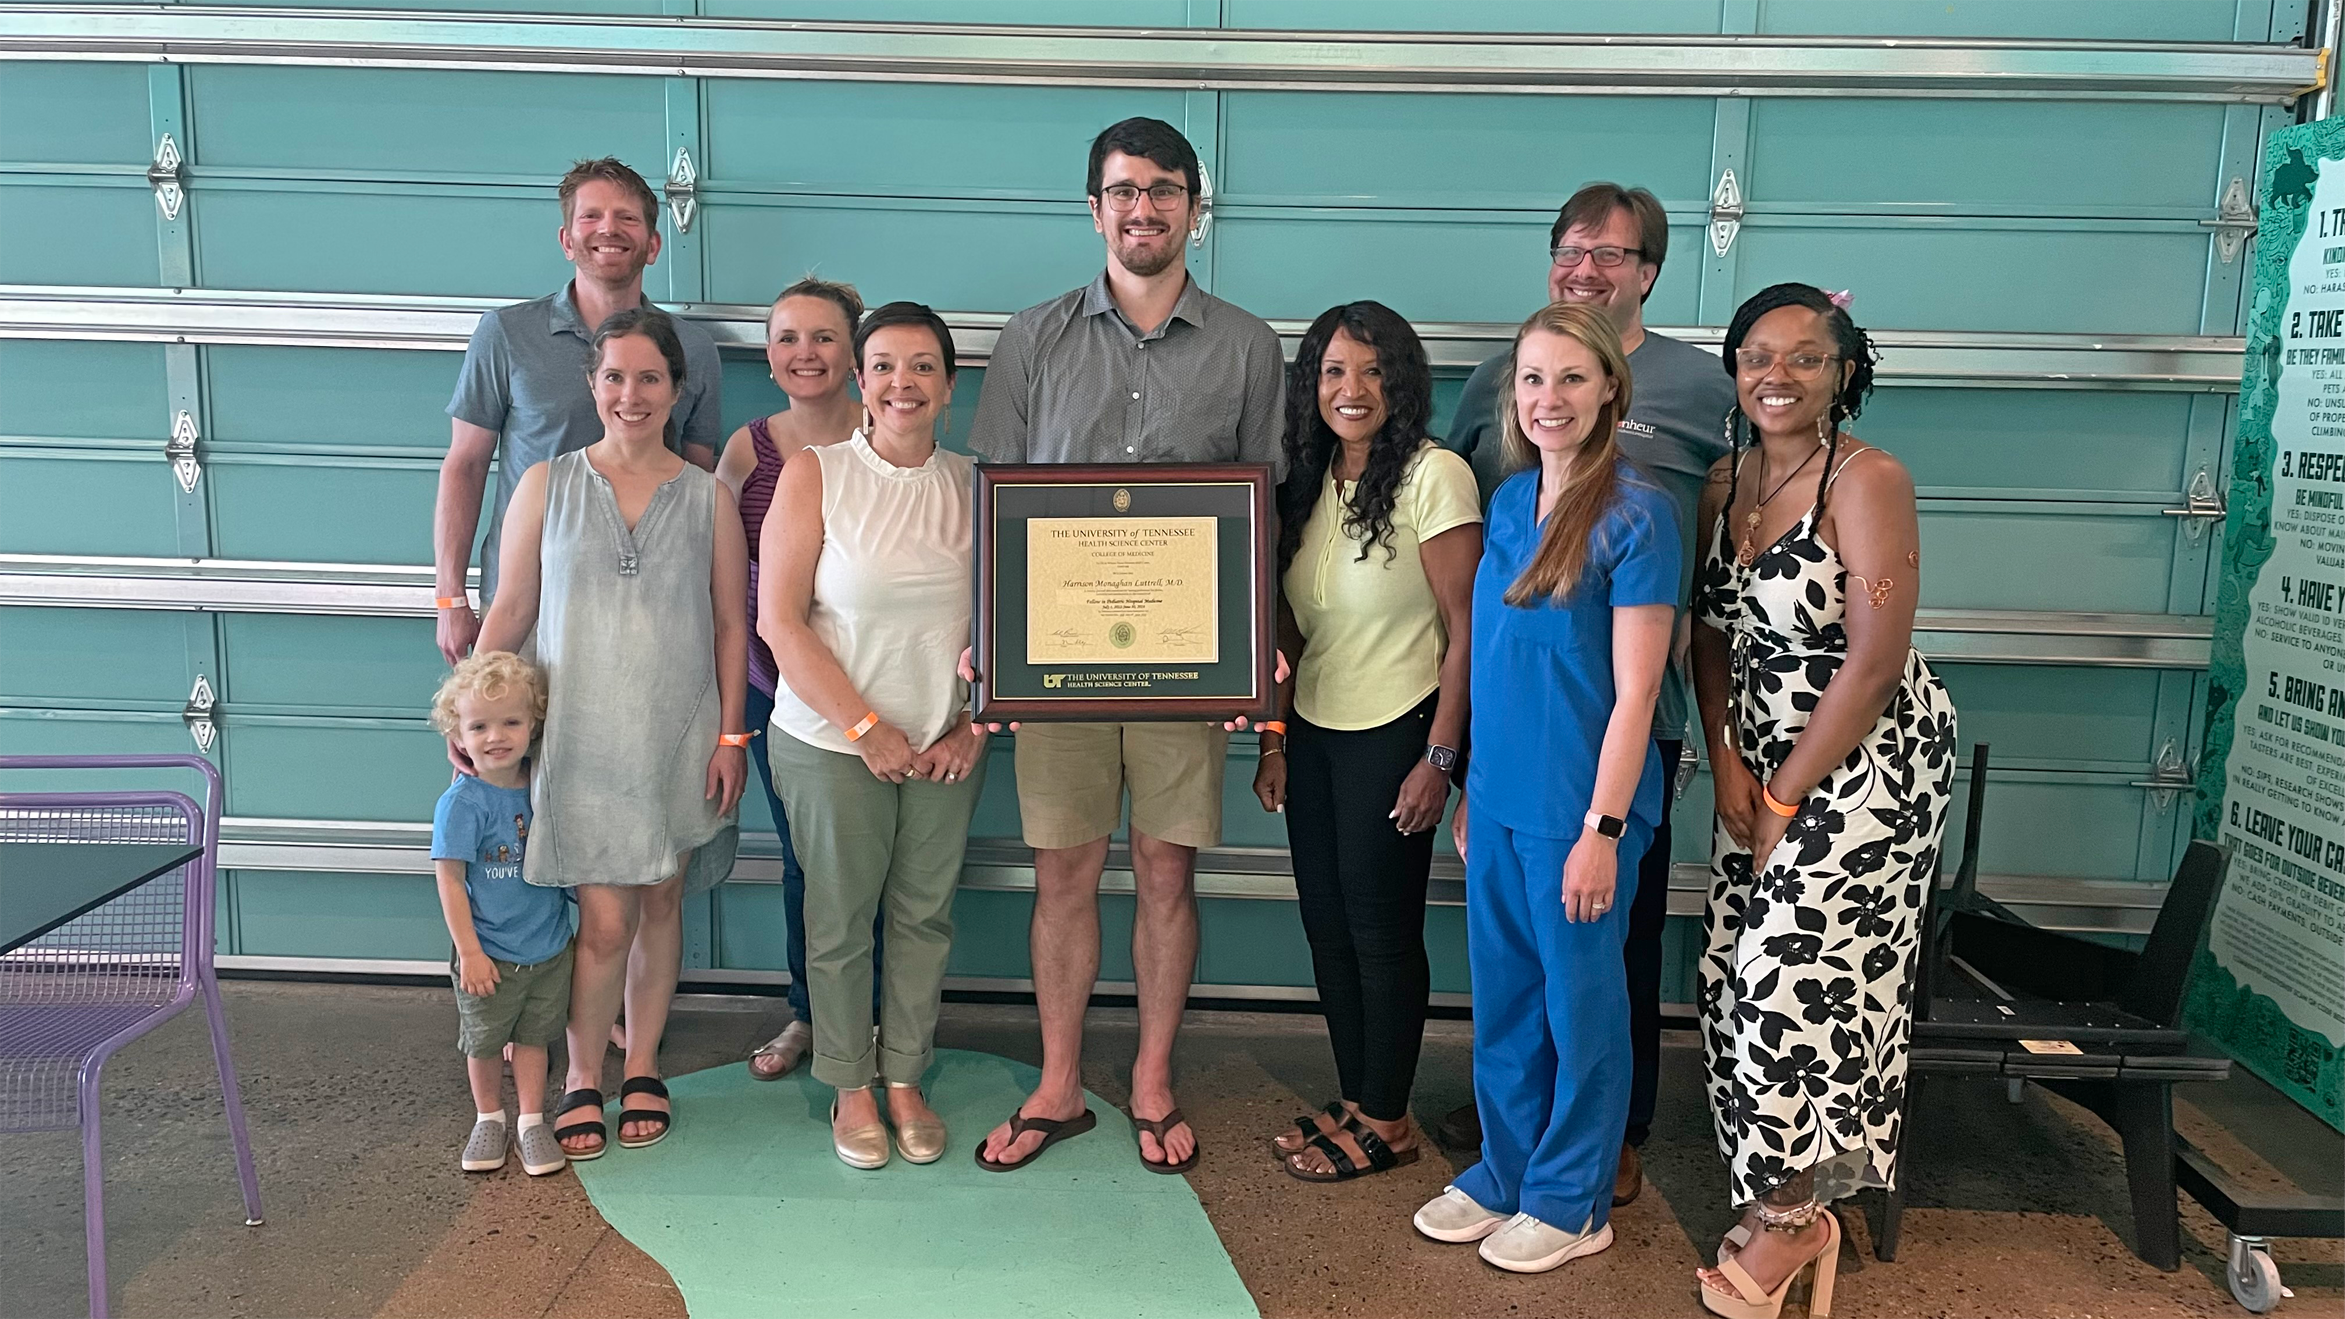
<point x="1237" y="686"/>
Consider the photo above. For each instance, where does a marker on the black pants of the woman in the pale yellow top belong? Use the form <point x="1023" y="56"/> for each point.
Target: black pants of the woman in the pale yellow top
<point x="1364" y="900"/>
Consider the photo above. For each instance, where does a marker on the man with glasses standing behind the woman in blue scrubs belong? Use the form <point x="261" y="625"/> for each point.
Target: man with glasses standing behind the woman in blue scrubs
<point x="1605" y="250"/>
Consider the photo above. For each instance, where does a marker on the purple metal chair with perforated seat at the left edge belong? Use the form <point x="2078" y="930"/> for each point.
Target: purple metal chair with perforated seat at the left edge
<point x="107" y="978"/>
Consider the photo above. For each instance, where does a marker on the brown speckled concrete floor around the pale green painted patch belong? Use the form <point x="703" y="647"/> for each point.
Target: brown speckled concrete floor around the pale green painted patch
<point x="358" y="1109"/>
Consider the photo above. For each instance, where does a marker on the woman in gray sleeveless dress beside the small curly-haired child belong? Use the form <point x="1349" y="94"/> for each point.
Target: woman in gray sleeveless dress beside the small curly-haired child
<point x="630" y="567"/>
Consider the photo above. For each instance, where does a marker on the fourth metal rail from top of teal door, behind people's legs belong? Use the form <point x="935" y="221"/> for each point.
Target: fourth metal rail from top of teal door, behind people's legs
<point x="1005" y="865"/>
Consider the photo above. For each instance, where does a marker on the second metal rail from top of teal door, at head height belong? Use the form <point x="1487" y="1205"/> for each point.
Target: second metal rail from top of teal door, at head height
<point x="444" y="325"/>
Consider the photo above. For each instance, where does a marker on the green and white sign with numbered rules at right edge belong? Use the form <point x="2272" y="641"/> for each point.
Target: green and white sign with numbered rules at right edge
<point x="2271" y="985"/>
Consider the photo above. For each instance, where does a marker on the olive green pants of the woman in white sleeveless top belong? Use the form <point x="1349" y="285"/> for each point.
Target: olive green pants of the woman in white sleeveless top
<point x="874" y="848"/>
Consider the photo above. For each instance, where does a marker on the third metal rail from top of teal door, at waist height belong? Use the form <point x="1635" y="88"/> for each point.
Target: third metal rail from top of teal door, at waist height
<point x="358" y="590"/>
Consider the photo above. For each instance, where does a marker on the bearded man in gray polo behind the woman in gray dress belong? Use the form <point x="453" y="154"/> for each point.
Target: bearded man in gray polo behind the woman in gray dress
<point x="524" y="393"/>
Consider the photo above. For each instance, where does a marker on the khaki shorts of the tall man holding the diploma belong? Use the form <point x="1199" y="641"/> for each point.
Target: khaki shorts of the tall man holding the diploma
<point x="1073" y="778"/>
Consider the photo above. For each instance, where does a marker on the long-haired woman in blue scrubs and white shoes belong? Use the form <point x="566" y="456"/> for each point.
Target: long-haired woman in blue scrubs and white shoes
<point x="1572" y="616"/>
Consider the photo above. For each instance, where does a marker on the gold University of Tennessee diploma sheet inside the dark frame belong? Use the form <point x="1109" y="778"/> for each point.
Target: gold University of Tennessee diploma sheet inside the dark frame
<point x="1122" y="590"/>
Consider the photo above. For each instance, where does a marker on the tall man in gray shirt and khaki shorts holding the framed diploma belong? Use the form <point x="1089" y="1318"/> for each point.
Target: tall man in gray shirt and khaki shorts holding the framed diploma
<point x="1136" y="367"/>
